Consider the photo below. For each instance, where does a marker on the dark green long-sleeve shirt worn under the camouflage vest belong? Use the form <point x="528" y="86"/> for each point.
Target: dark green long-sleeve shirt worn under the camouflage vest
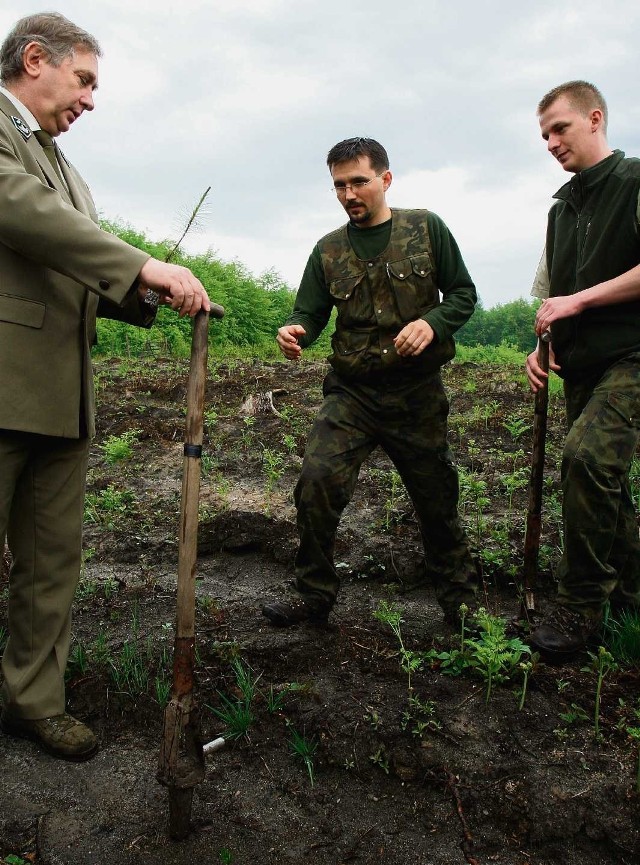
<point x="313" y="302"/>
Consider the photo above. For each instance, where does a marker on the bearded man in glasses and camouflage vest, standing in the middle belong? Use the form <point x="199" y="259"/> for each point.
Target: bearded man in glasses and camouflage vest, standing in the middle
<point x="384" y="272"/>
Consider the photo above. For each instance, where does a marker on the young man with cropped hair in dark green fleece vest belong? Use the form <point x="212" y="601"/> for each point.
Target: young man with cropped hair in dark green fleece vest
<point x="590" y="278"/>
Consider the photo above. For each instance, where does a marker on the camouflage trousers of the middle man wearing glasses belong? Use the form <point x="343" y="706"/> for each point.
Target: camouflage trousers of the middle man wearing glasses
<point x="408" y="419"/>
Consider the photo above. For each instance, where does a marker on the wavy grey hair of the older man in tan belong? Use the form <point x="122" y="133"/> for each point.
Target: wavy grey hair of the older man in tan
<point x="58" y="37"/>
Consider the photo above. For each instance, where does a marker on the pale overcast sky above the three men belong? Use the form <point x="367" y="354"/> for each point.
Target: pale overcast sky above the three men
<point x="247" y="96"/>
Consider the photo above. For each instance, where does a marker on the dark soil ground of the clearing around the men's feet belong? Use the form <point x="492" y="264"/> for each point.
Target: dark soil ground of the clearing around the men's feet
<point x="460" y="781"/>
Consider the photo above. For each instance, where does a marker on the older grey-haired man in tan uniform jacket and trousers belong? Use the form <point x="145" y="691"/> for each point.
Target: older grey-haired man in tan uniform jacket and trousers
<point x="58" y="270"/>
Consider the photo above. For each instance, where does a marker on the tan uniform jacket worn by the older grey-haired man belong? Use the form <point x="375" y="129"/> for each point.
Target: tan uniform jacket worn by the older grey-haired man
<point x="58" y="270"/>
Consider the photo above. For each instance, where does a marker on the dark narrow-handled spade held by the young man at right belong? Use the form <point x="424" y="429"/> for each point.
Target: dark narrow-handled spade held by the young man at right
<point x="534" y="511"/>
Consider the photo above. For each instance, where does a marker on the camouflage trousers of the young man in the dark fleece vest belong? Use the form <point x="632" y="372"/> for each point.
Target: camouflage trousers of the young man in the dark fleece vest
<point x="601" y="558"/>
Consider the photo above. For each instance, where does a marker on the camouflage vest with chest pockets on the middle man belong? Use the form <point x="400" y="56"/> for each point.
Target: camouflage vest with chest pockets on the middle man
<point x="376" y="298"/>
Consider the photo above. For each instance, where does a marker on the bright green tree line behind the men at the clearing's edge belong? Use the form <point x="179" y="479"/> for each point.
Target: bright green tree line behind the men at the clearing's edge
<point x="256" y="306"/>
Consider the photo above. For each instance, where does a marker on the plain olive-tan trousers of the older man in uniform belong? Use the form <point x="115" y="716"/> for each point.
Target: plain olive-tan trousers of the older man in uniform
<point x="42" y="484"/>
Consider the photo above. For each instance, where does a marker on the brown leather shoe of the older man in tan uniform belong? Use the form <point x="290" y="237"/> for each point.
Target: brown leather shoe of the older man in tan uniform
<point x="62" y="735"/>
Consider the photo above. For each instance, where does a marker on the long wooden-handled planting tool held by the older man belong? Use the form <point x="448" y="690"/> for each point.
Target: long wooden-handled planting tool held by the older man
<point x="181" y="763"/>
